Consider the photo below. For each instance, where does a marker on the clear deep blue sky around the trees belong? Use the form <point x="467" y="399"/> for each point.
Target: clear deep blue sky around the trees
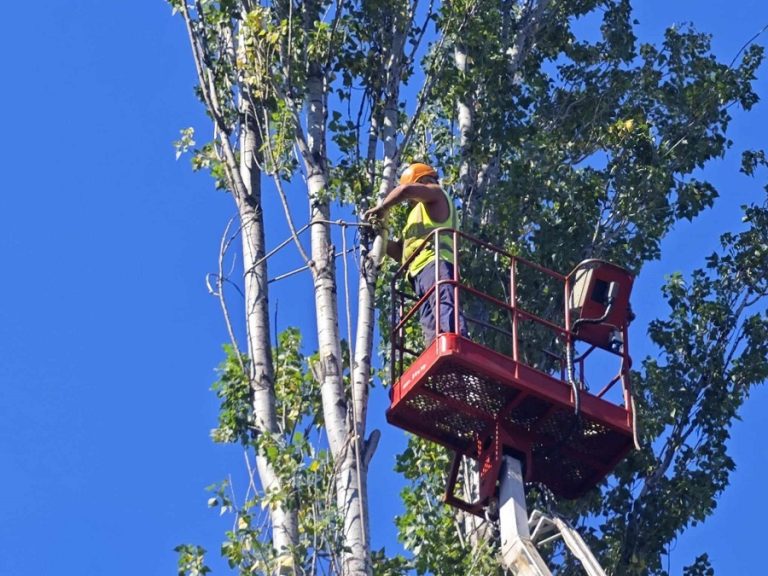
<point x="109" y="340"/>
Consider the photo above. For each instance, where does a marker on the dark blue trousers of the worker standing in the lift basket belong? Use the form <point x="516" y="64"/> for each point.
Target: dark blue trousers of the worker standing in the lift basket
<point x="424" y="280"/>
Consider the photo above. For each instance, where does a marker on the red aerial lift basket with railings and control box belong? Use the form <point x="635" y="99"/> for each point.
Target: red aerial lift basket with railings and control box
<point x="516" y="382"/>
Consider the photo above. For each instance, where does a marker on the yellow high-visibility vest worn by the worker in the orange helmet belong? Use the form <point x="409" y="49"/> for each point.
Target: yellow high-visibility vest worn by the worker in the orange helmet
<point x="417" y="228"/>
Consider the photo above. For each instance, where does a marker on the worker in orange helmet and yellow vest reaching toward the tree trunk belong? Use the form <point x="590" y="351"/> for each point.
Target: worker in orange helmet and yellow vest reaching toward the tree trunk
<point x="431" y="208"/>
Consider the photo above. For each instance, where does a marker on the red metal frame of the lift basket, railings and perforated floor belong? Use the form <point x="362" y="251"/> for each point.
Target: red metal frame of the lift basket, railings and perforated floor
<point x="481" y="403"/>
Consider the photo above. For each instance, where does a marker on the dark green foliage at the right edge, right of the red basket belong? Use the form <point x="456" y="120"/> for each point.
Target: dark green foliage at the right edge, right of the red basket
<point x="712" y="349"/>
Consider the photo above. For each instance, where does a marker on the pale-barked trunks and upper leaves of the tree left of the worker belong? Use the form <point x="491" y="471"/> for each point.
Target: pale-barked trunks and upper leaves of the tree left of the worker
<point x="265" y="75"/>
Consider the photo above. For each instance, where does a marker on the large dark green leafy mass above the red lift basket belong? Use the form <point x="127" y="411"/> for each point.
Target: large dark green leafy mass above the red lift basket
<point x="597" y="157"/>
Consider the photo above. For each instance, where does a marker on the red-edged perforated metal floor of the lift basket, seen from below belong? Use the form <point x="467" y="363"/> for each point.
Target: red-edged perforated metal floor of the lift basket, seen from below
<point x="457" y="391"/>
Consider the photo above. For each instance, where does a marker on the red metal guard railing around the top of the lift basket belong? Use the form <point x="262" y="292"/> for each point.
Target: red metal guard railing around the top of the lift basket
<point x="513" y="306"/>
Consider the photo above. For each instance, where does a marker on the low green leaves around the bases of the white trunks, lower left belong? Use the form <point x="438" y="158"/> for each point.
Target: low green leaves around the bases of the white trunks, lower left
<point x="295" y="453"/>
